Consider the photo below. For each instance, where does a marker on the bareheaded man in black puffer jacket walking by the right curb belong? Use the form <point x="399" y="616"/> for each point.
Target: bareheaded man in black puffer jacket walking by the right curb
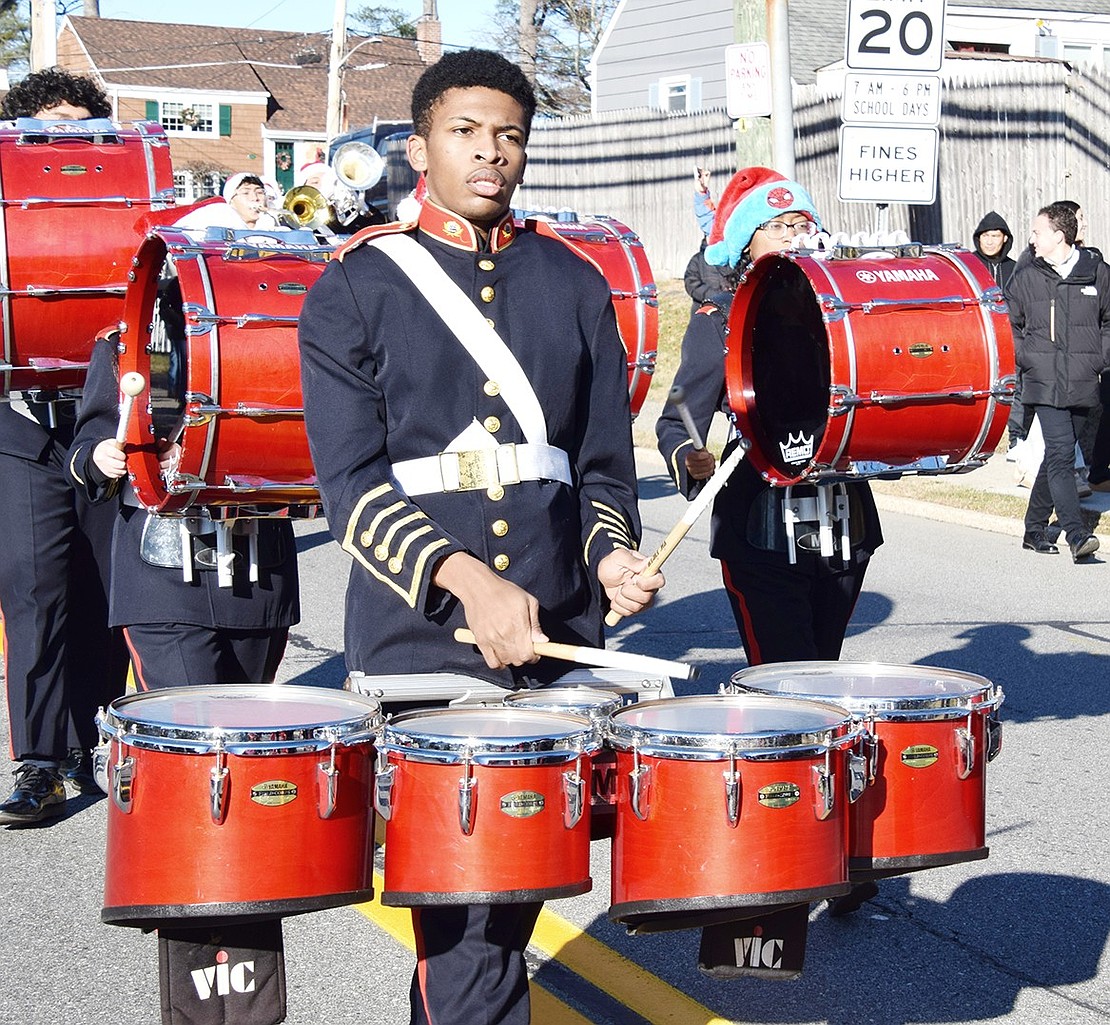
<point x="1061" y="313"/>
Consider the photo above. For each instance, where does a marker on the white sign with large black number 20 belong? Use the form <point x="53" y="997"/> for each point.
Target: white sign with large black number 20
<point x="895" y="35"/>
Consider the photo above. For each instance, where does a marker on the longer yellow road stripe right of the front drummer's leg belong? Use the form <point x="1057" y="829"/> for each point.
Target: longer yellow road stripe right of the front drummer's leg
<point x="625" y="981"/>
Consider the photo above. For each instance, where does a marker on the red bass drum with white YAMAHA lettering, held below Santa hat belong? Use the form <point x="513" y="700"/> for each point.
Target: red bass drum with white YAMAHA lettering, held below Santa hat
<point x="843" y="368"/>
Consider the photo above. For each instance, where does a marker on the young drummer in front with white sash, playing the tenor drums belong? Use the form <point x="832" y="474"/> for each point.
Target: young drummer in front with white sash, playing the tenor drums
<point x="483" y="480"/>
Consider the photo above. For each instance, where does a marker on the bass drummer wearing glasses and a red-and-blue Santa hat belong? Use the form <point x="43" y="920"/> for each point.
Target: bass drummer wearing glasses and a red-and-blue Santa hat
<point x="786" y="610"/>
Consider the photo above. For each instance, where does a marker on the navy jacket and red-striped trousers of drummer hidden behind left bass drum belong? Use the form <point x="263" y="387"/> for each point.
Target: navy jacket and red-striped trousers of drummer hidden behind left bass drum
<point x="185" y="631"/>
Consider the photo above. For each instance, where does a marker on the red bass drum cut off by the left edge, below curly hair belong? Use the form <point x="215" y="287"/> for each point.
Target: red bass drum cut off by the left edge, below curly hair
<point x="73" y="194"/>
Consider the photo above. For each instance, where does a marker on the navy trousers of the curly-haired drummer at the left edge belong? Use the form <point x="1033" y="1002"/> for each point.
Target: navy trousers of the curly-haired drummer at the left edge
<point x="63" y="661"/>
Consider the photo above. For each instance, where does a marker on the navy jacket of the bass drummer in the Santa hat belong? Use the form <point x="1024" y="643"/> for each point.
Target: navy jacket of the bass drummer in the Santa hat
<point x="702" y="376"/>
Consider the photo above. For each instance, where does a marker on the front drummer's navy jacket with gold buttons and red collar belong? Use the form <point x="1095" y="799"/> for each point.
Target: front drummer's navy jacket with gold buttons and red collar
<point x="386" y="381"/>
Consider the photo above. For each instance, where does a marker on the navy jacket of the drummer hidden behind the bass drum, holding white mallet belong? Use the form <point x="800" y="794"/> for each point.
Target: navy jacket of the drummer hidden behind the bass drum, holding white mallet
<point x="144" y="594"/>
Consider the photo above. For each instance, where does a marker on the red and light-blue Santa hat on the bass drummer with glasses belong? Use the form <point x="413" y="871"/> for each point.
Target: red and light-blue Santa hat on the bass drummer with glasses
<point x="752" y="197"/>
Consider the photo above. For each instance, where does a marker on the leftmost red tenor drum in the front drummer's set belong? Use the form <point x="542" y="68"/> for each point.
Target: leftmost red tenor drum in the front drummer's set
<point x="238" y="802"/>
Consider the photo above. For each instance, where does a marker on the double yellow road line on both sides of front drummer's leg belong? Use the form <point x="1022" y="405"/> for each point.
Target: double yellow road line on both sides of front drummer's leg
<point x="623" y="980"/>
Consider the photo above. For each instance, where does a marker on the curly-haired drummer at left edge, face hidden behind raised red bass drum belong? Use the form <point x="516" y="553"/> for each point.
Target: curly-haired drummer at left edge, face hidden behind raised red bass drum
<point x="62" y="661"/>
